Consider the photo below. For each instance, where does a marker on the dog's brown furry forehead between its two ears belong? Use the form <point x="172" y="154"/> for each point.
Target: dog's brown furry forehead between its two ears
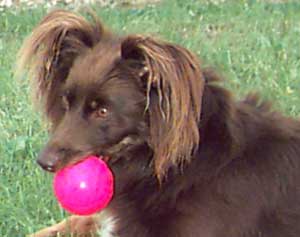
<point x="95" y="64"/>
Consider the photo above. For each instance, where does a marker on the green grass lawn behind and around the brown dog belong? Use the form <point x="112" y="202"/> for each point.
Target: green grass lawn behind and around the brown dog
<point x="254" y="44"/>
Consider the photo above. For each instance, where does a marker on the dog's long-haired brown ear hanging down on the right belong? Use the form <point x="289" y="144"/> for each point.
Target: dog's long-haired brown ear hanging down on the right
<point x="174" y="92"/>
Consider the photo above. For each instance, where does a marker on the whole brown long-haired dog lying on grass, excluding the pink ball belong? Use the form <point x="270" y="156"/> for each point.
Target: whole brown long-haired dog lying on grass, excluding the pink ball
<point x="189" y="160"/>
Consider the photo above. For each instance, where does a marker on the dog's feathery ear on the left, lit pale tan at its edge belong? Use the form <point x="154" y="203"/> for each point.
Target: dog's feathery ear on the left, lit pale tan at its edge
<point x="48" y="54"/>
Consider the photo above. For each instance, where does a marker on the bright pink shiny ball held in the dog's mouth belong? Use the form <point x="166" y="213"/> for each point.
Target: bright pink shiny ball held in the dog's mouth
<point x="84" y="188"/>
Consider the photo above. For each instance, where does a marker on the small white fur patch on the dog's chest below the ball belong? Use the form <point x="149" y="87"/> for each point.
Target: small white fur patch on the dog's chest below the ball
<point x="107" y="224"/>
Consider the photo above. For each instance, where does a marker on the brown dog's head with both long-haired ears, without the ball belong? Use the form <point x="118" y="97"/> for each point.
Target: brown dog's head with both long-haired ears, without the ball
<point x="103" y="94"/>
